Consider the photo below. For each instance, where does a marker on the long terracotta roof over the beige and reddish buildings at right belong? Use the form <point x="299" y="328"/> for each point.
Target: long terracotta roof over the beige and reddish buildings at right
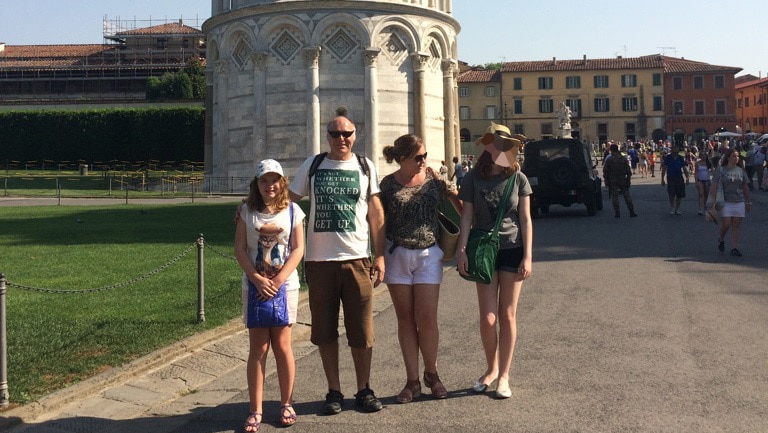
<point x="655" y="61"/>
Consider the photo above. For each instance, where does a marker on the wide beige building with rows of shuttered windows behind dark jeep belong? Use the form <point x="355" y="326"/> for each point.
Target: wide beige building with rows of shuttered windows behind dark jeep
<point x="609" y="99"/>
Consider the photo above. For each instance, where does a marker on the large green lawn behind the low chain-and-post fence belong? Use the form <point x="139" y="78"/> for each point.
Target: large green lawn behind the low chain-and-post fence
<point x="56" y="339"/>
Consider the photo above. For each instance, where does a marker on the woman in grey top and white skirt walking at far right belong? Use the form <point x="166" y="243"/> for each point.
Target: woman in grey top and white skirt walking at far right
<point x="736" y="199"/>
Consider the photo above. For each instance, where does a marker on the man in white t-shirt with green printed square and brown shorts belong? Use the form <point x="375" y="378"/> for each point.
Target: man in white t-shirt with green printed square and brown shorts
<point x="344" y="211"/>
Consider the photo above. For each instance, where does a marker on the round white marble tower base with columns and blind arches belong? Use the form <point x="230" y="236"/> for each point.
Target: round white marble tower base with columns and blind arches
<point x="279" y="69"/>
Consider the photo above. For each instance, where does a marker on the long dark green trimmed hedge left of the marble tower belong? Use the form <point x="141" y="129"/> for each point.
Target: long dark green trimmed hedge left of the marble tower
<point x="103" y="135"/>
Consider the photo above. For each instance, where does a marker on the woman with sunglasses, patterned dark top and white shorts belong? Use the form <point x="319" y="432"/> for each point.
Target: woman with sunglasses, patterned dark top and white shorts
<point x="411" y="197"/>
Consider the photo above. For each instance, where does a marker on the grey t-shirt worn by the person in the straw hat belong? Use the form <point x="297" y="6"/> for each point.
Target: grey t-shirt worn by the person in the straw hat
<point x="485" y="195"/>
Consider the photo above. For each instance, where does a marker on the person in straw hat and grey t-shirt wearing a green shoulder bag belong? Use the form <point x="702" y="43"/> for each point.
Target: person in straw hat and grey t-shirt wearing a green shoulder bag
<point x="483" y="188"/>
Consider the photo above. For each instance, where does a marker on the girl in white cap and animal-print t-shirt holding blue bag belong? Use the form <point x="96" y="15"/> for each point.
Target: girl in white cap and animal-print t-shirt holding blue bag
<point x="269" y="244"/>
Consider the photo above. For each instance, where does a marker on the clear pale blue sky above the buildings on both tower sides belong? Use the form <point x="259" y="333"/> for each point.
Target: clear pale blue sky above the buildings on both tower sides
<point x="711" y="31"/>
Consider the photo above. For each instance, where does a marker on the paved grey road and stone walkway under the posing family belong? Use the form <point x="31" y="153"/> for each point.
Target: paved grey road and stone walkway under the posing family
<point x="627" y="325"/>
